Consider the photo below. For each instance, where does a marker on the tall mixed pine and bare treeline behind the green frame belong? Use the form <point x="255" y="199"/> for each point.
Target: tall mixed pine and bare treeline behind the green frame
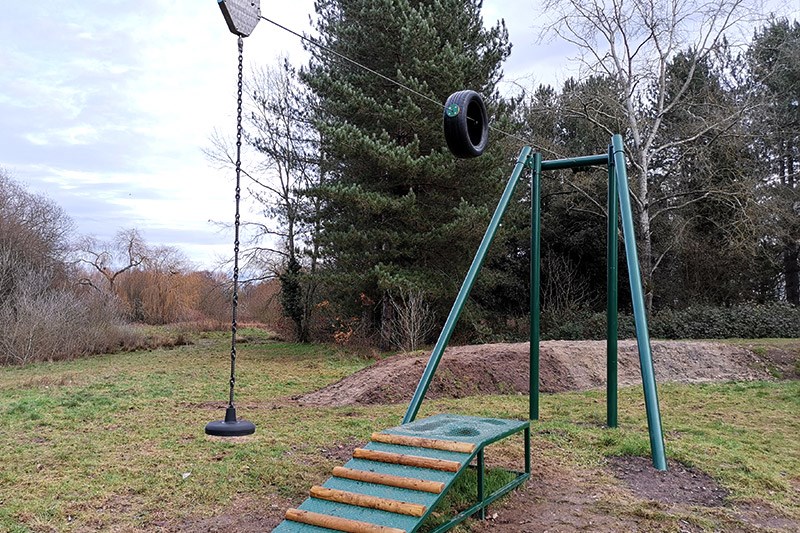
<point x="369" y="223"/>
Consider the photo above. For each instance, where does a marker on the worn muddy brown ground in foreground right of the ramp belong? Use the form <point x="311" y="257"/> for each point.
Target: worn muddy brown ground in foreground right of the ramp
<point x="628" y="495"/>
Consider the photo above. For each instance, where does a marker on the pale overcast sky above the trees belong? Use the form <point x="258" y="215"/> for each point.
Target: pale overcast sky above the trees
<point x="106" y="106"/>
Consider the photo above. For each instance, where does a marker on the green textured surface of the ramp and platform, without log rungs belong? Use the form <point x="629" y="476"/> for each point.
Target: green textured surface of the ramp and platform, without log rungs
<point x="478" y="431"/>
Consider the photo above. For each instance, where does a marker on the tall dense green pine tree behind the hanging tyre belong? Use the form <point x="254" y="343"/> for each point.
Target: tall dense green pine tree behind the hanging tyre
<point x="400" y="213"/>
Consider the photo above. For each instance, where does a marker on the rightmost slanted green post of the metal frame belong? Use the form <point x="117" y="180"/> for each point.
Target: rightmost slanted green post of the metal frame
<point x="642" y="335"/>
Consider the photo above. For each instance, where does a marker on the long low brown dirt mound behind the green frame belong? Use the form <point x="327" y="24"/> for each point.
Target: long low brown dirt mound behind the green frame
<point x="564" y="365"/>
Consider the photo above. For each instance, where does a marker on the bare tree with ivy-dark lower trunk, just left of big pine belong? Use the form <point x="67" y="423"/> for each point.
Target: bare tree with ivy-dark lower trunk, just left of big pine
<point x="286" y="165"/>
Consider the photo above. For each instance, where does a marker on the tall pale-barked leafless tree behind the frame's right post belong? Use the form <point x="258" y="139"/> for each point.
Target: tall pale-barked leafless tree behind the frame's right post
<point x="633" y="43"/>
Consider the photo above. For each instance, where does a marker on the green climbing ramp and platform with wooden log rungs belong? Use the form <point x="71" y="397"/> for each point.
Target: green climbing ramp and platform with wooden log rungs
<point x="396" y="480"/>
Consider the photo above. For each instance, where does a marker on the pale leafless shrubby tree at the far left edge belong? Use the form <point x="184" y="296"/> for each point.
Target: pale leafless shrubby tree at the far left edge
<point x="41" y="317"/>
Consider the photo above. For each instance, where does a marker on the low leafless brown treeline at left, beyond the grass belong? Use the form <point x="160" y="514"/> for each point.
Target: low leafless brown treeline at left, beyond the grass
<point x="64" y="295"/>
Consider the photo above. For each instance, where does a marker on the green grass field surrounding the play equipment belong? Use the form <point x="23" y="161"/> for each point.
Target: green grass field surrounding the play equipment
<point x="116" y="442"/>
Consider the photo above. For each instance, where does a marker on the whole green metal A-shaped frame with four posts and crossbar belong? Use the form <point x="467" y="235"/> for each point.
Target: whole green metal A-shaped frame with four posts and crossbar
<point x="619" y="206"/>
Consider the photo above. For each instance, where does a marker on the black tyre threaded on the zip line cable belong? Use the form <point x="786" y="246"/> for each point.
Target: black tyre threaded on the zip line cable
<point x="466" y="124"/>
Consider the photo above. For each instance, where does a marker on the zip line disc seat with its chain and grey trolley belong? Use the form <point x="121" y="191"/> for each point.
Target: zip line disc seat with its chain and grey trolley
<point x="242" y="17"/>
